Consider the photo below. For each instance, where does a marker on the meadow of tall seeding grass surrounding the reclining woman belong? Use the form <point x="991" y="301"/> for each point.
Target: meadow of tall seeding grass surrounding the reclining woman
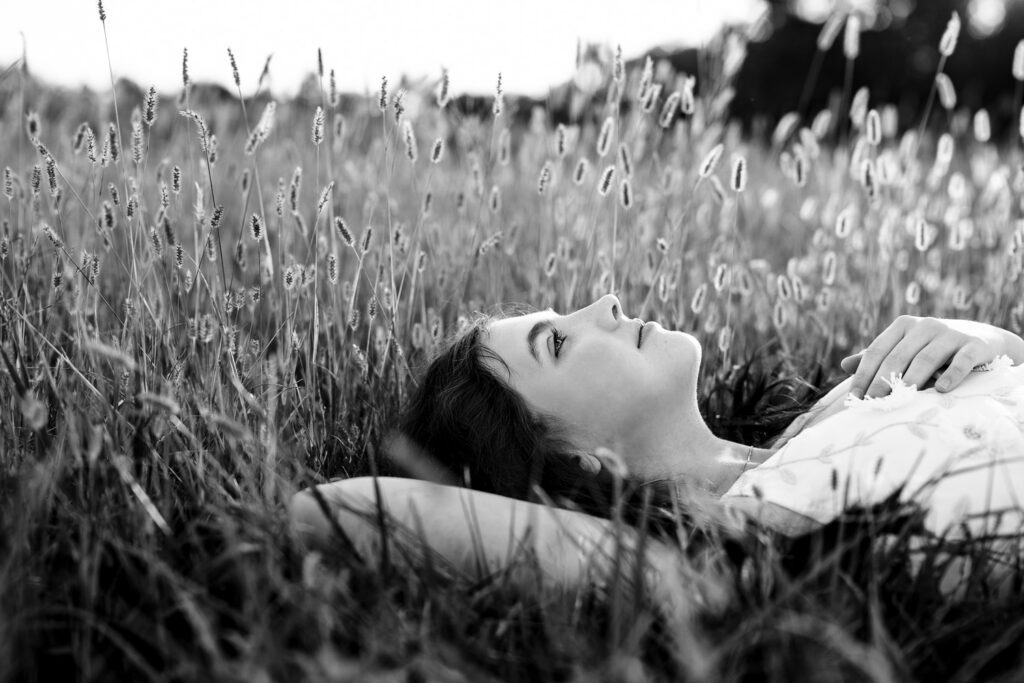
<point x="210" y="305"/>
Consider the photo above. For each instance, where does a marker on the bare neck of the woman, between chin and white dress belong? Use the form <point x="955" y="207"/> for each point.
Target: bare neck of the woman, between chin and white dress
<point x="690" y="453"/>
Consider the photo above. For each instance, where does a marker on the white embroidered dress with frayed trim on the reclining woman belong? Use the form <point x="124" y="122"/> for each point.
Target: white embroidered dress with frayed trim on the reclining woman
<point x="959" y="455"/>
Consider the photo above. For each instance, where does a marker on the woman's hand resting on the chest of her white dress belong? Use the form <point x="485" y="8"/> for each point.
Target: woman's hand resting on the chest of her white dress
<point x="927" y="349"/>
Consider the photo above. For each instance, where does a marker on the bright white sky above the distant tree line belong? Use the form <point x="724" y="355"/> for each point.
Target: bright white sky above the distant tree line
<point x="532" y="42"/>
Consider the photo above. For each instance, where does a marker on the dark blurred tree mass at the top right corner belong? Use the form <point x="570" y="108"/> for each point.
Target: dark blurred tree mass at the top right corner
<point x="898" y="61"/>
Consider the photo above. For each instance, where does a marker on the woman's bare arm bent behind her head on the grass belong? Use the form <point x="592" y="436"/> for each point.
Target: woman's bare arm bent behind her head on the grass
<point x="477" y="533"/>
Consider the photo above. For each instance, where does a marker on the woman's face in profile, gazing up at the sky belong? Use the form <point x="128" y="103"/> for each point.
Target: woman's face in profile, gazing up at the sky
<point x="598" y="373"/>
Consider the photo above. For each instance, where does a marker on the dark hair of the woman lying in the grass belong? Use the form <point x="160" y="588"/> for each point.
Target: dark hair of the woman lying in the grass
<point x="480" y="431"/>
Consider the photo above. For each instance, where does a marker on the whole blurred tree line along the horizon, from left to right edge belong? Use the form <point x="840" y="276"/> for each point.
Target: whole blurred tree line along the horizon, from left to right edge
<point x="898" y="62"/>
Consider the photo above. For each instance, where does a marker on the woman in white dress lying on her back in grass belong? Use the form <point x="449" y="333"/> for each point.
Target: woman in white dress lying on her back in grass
<point x="546" y="407"/>
